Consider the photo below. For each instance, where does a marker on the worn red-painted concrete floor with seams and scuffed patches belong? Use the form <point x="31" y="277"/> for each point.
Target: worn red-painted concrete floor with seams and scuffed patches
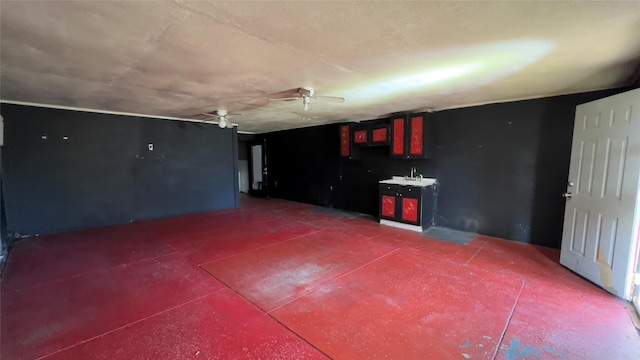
<point x="279" y="280"/>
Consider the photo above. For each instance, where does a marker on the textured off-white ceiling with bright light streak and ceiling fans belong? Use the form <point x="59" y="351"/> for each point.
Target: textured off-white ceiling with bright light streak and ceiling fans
<point x="180" y="58"/>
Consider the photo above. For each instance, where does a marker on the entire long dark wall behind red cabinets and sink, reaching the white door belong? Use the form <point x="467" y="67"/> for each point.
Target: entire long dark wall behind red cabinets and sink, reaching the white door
<point x="501" y="168"/>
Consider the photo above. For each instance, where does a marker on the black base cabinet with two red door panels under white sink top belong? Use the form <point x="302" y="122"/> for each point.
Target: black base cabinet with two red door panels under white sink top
<point x="412" y="205"/>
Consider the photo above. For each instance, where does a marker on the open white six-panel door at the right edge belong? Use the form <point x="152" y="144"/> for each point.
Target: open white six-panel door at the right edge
<point x="600" y="233"/>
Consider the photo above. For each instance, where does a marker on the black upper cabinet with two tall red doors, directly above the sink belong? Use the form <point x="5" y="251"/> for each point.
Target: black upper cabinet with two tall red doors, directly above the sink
<point x="410" y="137"/>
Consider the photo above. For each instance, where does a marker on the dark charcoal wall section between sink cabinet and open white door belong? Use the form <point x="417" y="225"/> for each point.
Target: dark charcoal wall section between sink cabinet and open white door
<point x="503" y="167"/>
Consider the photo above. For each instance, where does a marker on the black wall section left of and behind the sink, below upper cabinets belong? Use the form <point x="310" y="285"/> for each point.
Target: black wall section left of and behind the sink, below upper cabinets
<point x="305" y="166"/>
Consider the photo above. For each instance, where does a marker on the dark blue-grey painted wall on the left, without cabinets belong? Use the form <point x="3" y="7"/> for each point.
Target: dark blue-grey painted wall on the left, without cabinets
<point x="104" y="174"/>
